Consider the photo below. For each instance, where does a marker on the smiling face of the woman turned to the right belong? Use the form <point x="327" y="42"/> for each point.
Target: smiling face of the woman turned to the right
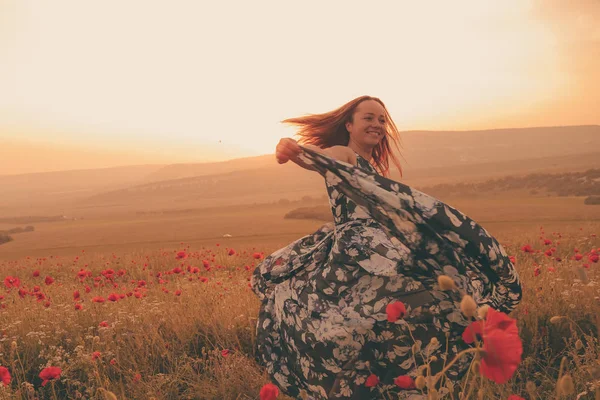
<point x="368" y="123"/>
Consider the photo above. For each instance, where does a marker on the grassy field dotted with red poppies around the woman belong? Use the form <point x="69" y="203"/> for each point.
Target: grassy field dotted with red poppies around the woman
<point x="179" y="323"/>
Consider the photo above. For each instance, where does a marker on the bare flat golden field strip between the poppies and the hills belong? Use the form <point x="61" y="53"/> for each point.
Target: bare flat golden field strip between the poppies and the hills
<point x="504" y="215"/>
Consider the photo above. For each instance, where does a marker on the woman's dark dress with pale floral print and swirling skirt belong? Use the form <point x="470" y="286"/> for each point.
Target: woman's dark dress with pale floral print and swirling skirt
<point x="323" y="330"/>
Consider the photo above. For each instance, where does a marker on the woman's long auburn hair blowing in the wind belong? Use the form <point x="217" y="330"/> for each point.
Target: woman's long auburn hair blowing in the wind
<point x="329" y="129"/>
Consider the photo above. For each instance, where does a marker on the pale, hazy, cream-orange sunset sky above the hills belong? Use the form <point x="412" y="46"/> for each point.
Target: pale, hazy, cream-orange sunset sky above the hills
<point x="165" y="81"/>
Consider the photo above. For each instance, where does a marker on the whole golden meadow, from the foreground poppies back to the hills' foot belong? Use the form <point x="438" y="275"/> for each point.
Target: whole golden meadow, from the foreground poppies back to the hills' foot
<point x="141" y="307"/>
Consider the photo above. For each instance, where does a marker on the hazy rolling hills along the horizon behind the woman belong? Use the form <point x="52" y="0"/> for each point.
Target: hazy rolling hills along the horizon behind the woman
<point x="428" y="158"/>
